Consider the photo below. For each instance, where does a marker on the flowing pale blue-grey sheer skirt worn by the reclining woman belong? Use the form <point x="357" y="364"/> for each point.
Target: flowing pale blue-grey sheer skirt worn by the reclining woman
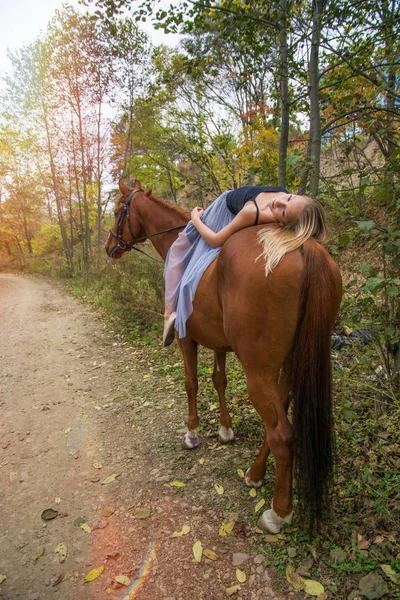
<point x="188" y="258"/>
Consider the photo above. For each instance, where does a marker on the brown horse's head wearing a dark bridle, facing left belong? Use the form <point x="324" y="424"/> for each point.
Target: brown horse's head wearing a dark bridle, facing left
<point x="128" y="229"/>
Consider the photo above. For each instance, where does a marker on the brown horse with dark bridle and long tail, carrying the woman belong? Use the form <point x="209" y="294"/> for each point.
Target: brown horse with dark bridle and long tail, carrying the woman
<point x="280" y="329"/>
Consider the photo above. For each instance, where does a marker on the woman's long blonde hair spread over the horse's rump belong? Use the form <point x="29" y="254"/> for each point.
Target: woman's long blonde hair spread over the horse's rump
<point x="277" y="241"/>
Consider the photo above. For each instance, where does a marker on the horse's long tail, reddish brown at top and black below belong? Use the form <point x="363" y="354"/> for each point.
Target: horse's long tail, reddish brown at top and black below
<point x="313" y="441"/>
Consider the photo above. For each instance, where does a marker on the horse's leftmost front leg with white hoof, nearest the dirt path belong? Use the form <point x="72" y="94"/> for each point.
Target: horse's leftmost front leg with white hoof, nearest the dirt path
<point x="189" y="351"/>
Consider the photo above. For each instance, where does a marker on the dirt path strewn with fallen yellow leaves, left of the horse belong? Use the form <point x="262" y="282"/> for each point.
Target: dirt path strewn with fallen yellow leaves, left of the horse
<point x="79" y="405"/>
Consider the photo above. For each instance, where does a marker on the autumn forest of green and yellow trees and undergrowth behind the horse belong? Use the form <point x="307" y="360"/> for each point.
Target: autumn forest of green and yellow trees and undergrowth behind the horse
<point x="303" y="94"/>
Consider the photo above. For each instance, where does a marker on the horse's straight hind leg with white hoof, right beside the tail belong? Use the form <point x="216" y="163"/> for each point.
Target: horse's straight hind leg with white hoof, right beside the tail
<point x="265" y="397"/>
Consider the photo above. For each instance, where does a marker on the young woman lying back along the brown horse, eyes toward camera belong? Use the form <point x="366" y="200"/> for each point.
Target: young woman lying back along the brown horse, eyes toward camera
<point x="297" y="217"/>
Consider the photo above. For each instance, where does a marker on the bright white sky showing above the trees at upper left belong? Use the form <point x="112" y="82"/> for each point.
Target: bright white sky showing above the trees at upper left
<point x="21" y="22"/>
